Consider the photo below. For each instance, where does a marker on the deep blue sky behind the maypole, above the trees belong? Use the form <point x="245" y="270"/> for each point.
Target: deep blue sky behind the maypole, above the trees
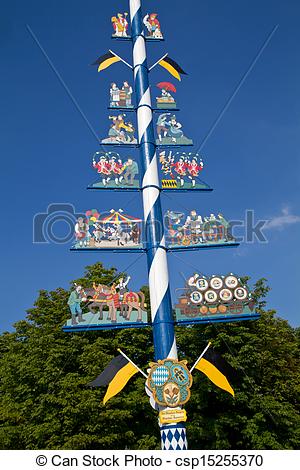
<point x="251" y="159"/>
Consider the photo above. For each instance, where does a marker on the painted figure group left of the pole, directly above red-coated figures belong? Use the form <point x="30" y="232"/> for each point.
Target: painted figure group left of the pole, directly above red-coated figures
<point x="120" y="132"/>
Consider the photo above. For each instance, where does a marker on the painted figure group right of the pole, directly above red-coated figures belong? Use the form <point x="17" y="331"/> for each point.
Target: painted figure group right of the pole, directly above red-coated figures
<point x="169" y="131"/>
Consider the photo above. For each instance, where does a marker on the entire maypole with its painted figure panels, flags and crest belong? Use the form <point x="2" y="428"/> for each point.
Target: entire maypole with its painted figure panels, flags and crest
<point x="203" y="299"/>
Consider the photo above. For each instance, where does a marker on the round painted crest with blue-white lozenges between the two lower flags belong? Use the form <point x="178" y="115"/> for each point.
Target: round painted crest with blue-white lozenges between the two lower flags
<point x="170" y="381"/>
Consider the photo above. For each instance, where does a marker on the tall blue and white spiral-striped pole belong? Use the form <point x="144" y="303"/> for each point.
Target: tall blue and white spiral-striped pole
<point x="173" y="436"/>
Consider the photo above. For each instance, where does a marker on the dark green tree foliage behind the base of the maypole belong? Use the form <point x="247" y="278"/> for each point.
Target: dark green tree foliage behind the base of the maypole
<point x="44" y="401"/>
